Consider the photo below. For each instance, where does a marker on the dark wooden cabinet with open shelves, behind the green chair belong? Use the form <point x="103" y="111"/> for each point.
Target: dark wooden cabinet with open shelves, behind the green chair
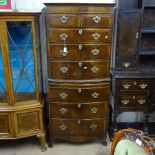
<point x="133" y="74"/>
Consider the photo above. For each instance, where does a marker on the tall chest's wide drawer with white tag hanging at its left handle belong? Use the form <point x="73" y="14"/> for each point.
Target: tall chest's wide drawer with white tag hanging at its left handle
<point x="79" y="52"/>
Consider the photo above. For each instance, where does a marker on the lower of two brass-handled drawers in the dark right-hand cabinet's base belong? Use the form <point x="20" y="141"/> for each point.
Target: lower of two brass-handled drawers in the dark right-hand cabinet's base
<point x="133" y="100"/>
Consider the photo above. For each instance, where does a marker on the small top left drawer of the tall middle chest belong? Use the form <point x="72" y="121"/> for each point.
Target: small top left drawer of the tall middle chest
<point x="63" y="20"/>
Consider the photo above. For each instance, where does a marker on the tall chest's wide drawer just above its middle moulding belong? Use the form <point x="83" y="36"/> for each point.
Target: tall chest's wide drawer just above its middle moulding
<point x="79" y="70"/>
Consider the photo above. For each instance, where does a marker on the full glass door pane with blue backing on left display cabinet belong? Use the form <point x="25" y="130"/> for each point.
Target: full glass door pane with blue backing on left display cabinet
<point x="21" y="48"/>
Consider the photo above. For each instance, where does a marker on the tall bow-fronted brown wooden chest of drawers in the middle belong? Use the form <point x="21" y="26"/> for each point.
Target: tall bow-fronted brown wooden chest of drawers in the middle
<point x="79" y="38"/>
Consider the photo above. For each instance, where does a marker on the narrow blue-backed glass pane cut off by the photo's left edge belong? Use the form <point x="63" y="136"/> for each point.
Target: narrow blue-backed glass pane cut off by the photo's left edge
<point x="3" y="94"/>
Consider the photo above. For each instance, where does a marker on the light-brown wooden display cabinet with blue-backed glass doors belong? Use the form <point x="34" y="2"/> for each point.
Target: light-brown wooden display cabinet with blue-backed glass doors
<point x="21" y="101"/>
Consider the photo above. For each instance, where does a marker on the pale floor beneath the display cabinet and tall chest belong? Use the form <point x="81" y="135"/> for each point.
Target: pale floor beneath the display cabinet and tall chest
<point x="30" y="146"/>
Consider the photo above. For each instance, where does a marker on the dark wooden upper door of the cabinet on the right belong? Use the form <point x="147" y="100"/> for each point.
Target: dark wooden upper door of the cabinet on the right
<point x="129" y="23"/>
